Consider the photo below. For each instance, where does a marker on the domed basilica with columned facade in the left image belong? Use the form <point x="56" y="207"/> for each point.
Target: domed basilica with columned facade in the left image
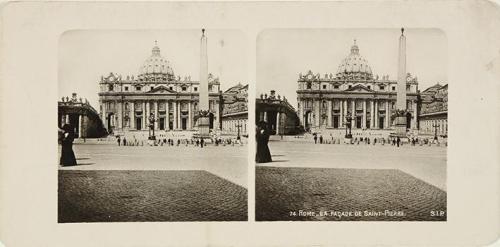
<point x="129" y="103"/>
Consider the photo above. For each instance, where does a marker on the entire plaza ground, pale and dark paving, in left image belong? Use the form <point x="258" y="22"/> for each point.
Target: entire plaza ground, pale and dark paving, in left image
<point x="154" y="183"/>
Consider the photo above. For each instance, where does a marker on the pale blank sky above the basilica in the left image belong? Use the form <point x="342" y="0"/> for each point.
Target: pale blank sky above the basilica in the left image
<point x="86" y="55"/>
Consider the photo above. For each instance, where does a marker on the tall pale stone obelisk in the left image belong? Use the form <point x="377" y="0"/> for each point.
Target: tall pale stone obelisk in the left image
<point x="203" y="107"/>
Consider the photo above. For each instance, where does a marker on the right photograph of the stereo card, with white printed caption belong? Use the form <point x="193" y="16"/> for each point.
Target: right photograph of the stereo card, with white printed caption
<point x="351" y="125"/>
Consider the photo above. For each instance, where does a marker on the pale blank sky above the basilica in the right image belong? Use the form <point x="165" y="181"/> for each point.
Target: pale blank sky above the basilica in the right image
<point x="284" y="53"/>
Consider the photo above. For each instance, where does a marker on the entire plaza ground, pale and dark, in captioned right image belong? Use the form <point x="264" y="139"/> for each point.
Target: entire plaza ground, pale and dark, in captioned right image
<point x="308" y="181"/>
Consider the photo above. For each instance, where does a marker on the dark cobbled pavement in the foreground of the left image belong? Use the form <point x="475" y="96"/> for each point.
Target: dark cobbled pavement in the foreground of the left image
<point x="121" y="196"/>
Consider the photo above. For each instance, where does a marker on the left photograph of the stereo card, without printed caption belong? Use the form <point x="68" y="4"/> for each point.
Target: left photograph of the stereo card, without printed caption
<point x="152" y="126"/>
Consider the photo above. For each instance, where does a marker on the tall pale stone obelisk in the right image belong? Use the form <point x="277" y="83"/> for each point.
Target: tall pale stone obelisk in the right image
<point x="400" y="121"/>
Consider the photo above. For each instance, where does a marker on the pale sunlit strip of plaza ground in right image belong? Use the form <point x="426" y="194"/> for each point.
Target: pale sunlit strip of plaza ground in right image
<point x="423" y="162"/>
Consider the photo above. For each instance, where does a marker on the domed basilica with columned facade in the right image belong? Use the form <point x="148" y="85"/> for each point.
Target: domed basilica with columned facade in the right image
<point x="354" y="92"/>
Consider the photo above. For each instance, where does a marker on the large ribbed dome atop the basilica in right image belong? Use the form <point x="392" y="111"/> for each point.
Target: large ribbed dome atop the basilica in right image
<point x="354" y="65"/>
